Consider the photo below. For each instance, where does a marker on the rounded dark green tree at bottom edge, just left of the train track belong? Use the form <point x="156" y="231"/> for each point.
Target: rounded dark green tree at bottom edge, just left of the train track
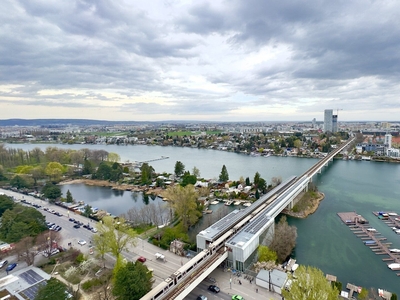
<point x="132" y="281"/>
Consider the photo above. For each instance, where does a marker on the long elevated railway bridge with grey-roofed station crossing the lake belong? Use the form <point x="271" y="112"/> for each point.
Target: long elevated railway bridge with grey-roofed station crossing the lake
<point x="235" y="238"/>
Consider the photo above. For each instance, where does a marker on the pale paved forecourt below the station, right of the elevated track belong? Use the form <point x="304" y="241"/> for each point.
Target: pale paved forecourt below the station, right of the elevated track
<point x="246" y="289"/>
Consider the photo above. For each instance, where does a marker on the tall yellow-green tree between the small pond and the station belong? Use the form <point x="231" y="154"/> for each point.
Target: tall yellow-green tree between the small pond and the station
<point x="184" y="202"/>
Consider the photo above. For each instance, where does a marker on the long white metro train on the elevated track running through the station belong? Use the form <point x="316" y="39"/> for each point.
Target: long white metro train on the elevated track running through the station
<point x="177" y="277"/>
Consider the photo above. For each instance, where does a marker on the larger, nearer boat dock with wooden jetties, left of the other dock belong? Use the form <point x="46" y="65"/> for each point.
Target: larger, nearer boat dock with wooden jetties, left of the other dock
<point x="371" y="238"/>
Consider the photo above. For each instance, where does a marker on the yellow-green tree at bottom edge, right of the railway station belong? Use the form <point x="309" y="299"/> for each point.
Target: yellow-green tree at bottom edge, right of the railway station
<point x="310" y="283"/>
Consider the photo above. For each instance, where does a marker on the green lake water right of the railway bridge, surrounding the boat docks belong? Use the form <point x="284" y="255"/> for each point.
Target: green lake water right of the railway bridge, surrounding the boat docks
<point x="325" y="242"/>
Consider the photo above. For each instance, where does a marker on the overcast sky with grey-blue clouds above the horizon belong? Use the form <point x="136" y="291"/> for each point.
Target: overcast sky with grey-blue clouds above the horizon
<point x="248" y="60"/>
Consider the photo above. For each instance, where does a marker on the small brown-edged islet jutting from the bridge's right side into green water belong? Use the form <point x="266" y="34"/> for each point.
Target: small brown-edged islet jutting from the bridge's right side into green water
<point x="307" y="205"/>
